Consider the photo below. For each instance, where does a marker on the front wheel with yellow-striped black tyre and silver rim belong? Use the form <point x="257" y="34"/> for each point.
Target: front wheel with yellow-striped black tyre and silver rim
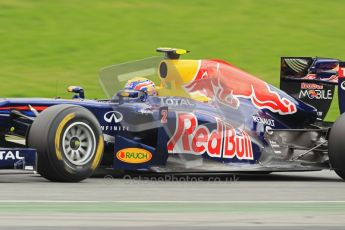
<point x="69" y="143"/>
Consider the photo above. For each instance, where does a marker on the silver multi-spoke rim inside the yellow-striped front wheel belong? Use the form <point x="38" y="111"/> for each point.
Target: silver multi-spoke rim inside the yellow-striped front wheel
<point x="78" y="143"/>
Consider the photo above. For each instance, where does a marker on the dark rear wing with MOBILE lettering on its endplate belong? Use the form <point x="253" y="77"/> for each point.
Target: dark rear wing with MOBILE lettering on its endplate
<point x="313" y="81"/>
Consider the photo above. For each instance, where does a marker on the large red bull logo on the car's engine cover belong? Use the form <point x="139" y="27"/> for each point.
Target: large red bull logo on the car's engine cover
<point x="226" y="84"/>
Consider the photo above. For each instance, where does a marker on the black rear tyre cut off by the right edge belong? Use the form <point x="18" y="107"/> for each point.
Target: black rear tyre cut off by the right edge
<point x="336" y="146"/>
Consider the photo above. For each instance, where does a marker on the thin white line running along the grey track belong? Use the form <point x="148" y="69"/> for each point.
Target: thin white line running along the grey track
<point x="178" y="201"/>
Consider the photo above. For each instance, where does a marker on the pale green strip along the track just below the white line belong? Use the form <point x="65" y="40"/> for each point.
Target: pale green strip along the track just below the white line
<point x="137" y="207"/>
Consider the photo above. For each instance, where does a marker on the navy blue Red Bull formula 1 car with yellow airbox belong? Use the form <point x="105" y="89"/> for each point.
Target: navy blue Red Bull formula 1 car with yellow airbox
<point x="208" y="116"/>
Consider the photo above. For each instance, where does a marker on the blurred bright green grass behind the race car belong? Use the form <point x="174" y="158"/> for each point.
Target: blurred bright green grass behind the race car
<point x="47" y="45"/>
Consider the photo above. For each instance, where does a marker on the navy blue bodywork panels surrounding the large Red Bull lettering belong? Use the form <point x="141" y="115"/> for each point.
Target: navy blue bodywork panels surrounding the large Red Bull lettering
<point x="142" y="128"/>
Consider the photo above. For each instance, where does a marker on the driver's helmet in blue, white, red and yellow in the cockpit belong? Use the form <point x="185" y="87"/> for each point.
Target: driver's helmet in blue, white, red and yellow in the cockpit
<point x="142" y="84"/>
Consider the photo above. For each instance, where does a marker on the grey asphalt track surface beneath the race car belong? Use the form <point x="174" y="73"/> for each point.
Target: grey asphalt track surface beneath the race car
<point x="306" y="200"/>
